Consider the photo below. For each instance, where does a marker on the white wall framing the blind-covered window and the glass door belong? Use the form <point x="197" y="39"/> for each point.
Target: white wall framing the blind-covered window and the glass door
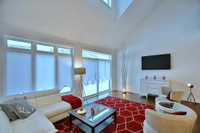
<point x="11" y="30"/>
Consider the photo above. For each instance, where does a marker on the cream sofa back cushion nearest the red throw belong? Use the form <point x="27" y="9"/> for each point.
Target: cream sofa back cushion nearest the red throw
<point x="47" y="100"/>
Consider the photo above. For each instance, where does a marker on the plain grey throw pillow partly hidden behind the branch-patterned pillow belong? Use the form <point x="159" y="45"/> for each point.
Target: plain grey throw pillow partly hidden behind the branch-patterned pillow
<point x="9" y="110"/>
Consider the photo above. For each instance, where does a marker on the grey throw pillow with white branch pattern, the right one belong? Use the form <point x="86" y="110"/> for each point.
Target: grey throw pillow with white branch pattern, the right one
<point x="22" y="108"/>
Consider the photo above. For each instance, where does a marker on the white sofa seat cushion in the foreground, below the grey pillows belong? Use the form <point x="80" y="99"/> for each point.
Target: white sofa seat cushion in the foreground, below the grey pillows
<point x="33" y="124"/>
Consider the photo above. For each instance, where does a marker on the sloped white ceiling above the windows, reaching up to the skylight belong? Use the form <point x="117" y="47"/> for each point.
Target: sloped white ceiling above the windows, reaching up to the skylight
<point x="75" y="20"/>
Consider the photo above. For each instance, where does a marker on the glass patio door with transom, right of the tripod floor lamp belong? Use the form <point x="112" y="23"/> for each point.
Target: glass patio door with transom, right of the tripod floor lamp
<point x="98" y="72"/>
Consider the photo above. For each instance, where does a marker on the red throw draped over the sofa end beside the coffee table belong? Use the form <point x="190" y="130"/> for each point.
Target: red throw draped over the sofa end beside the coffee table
<point x="75" y="102"/>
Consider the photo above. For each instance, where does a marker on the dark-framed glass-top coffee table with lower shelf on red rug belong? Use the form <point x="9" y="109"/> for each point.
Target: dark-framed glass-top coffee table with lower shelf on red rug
<point x="93" y="121"/>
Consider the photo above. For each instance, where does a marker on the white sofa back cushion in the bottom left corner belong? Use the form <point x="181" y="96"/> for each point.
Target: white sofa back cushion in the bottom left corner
<point x="5" y="126"/>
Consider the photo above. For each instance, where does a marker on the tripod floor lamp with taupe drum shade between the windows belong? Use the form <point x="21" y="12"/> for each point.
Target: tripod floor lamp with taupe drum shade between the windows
<point x="80" y="71"/>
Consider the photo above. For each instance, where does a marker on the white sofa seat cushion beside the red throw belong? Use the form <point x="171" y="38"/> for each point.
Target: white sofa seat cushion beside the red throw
<point x="55" y="109"/>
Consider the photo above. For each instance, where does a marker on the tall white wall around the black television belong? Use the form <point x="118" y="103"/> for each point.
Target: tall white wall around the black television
<point x="173" y="27"/>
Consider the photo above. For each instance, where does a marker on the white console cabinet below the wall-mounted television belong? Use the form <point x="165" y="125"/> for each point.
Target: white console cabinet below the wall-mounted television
<point x="152" y="86"/>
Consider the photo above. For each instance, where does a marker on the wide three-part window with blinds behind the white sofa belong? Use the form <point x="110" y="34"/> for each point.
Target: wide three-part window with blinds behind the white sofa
<point x="36" y="66"/>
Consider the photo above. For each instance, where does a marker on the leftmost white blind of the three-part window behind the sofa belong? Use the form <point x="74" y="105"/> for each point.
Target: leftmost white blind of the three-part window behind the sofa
<point x="18" y="73"/>
